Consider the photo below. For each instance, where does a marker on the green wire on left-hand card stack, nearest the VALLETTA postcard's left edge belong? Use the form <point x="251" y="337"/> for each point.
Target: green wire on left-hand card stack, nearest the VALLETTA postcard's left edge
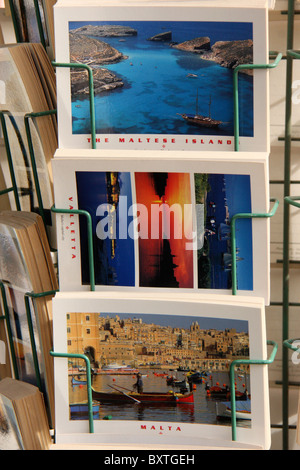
<point x="27" y="118"/>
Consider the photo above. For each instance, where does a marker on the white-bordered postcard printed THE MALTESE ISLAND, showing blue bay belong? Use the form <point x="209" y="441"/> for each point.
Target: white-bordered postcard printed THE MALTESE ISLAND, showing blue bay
<point x="162" y="75"/>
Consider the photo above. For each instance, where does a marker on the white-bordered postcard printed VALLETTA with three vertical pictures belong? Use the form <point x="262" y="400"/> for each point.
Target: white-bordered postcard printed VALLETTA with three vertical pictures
<point x="157" y="228"/>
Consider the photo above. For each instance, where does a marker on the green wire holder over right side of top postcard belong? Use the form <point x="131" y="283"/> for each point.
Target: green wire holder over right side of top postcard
<point x="236" y="92"/>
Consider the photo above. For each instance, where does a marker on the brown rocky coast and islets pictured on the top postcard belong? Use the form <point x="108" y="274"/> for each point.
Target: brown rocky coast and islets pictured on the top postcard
<point x="86" y="49"/>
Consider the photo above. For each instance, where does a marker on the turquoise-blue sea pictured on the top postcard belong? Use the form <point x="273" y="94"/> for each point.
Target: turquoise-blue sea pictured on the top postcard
<point x="157" y="85"/>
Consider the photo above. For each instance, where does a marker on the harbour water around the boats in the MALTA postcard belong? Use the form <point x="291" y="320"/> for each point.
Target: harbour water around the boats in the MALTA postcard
<point x="203" y="410"/>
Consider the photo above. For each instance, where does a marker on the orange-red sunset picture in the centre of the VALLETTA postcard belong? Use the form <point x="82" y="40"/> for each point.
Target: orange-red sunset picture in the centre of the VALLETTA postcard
<point x="164" y="260"/>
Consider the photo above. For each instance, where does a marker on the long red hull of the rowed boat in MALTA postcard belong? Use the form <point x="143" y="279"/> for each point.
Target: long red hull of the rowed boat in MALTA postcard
<point x="146" y="398"/>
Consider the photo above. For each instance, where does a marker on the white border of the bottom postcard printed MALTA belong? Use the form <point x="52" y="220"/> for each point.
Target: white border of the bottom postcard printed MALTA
<point x="120" y="432"/>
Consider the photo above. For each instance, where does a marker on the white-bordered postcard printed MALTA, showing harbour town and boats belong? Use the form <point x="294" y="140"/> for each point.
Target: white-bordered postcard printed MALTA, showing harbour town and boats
<point x="159" y="367"/>
